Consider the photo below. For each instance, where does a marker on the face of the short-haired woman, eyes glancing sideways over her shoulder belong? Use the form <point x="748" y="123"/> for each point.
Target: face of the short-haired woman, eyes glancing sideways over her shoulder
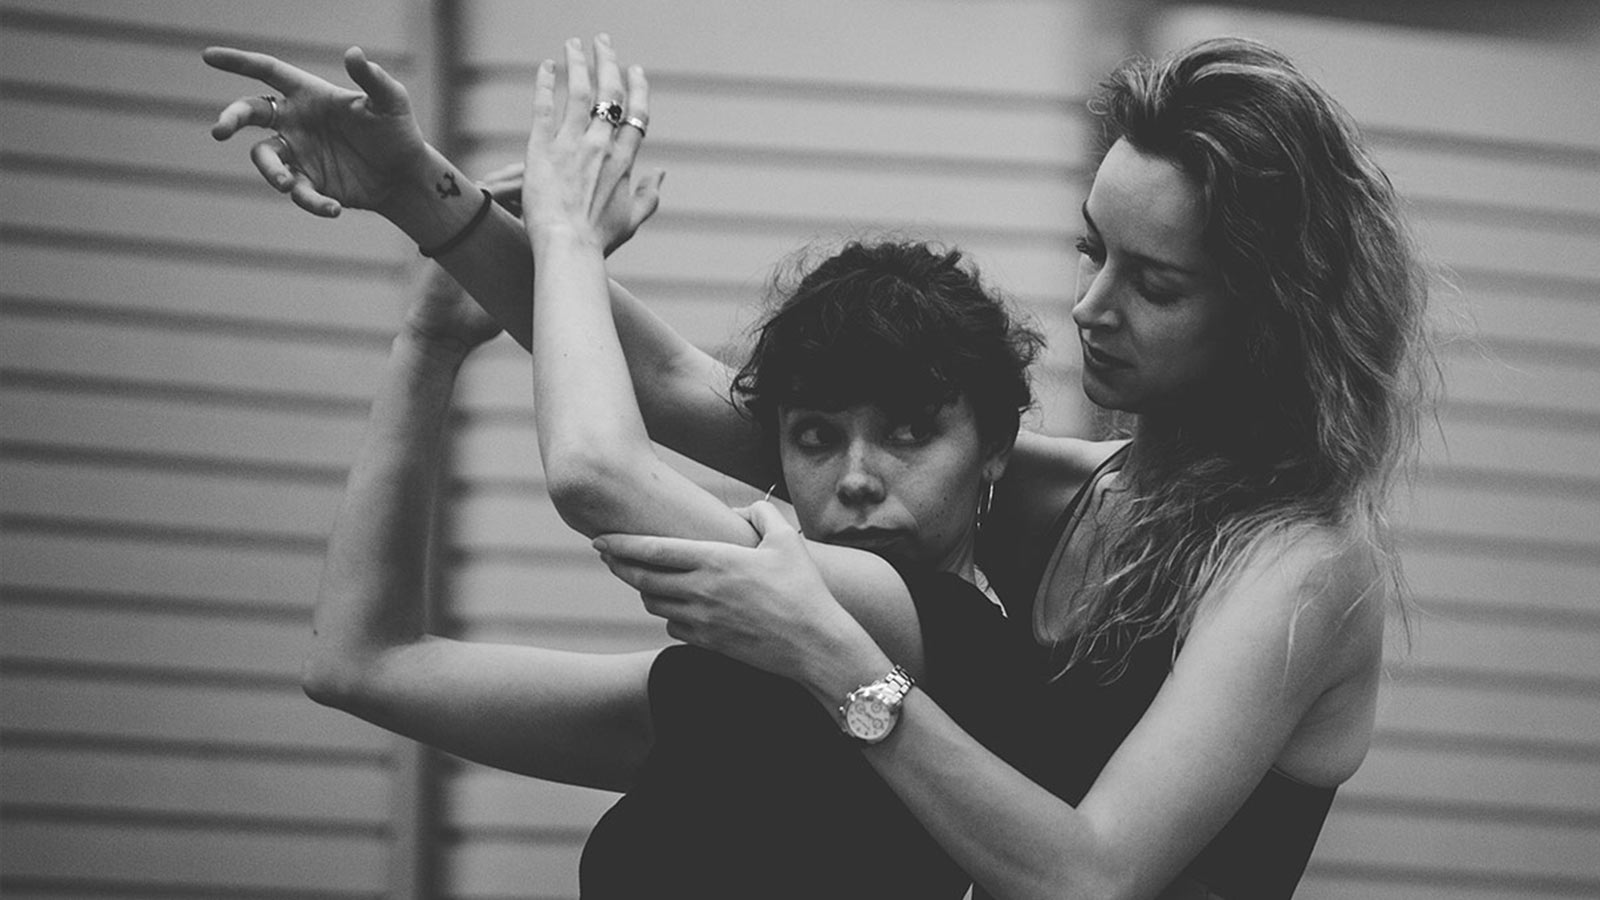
<point x="906" y="489"/>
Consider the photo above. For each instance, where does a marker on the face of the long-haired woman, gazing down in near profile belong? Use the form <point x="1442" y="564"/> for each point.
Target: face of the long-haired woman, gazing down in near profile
<point x="1151" y="315"/>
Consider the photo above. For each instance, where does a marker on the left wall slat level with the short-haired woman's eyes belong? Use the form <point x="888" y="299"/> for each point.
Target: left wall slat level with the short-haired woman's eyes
<point x="180" y="430"/>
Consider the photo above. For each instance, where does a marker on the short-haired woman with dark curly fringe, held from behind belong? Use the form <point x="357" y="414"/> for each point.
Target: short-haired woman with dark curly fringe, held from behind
<point x="890" y="384"/>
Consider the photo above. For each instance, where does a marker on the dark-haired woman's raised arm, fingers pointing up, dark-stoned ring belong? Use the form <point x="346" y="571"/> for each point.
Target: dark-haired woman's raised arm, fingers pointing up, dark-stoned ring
<point x="602" y="470"/>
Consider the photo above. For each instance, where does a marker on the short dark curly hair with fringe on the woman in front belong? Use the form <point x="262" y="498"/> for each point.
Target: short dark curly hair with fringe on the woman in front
<point x="902" y="326"/>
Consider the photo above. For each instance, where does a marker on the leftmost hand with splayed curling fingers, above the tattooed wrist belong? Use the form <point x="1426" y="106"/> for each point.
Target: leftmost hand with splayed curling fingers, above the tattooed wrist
<point x="330" y="147"/>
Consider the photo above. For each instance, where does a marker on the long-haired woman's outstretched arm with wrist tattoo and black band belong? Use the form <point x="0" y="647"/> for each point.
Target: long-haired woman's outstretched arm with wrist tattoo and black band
<point x="364" y="150"/>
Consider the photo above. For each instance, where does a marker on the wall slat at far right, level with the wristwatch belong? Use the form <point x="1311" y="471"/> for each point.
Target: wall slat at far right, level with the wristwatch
<point x="1468" y="713"/>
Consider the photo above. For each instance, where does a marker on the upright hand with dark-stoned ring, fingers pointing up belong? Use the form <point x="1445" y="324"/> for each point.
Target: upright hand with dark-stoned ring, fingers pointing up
<point x="580" y="164"/>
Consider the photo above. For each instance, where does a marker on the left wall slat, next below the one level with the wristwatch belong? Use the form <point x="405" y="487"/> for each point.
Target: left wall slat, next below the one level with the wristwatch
<point x="122" y="784"/>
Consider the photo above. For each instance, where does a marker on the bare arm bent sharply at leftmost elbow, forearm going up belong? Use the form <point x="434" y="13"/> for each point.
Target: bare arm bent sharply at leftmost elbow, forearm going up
<point x="578" y="718"/>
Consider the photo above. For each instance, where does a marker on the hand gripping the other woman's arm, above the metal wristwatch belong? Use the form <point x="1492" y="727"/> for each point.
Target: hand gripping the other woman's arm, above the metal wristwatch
<point x="766" y="606"/>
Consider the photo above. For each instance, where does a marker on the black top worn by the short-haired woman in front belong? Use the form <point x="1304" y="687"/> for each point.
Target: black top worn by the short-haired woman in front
<point x="751" y="790"/>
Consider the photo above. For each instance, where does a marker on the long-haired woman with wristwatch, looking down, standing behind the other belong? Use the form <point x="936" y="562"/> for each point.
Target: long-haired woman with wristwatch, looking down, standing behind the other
<point x="1206" y="601"/>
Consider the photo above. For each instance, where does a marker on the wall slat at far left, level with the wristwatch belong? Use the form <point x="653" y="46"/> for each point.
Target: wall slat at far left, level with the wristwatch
<point x="279" y="718"/>
